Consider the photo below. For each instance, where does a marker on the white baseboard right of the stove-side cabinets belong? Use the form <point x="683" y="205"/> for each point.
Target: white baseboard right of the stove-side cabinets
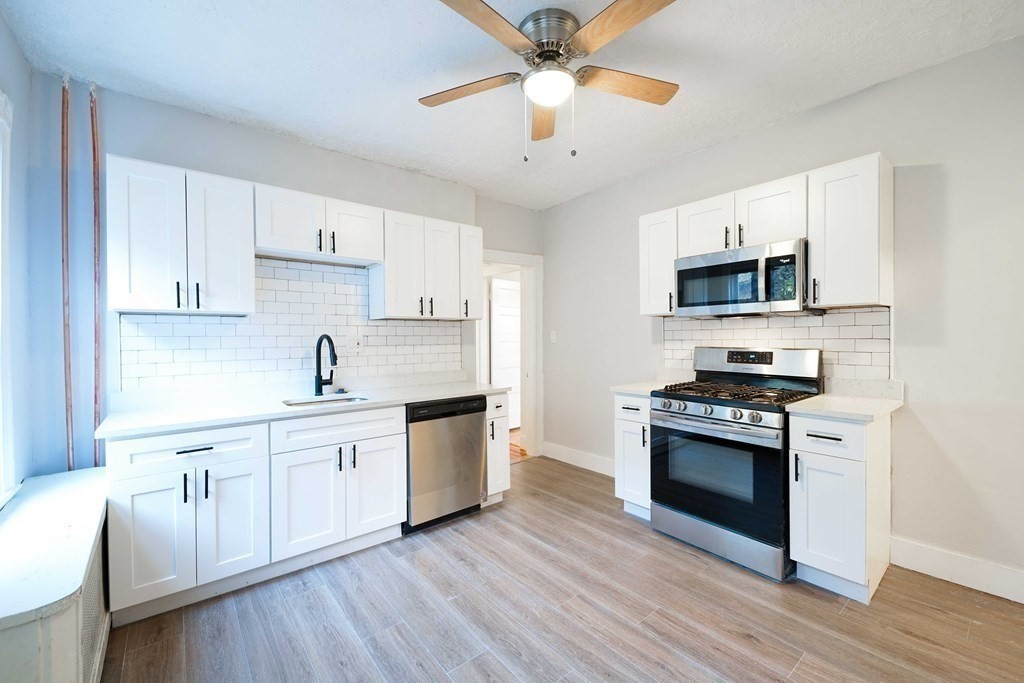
<point x="965" y="570"/>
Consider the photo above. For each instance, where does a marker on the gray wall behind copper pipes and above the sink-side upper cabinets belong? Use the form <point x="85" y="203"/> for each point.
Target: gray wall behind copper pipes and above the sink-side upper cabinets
<point x="145" y="130"/>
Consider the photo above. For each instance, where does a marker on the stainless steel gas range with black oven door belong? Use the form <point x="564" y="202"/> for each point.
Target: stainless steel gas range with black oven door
<point x="719" y="453"/>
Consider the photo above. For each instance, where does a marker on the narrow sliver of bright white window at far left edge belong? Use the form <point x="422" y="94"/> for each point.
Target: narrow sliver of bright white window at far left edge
<point x="8" y="480"/>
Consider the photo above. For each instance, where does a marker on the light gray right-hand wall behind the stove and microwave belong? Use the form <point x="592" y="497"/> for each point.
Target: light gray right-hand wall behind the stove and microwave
<point x="955" y="134"/>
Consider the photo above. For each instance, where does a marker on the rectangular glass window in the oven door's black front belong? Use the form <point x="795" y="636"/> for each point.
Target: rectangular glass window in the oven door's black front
<point x="716" y="468"/>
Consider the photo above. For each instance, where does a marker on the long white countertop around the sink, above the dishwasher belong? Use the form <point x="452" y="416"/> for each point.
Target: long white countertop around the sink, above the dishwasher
<point x="247" y="409"/>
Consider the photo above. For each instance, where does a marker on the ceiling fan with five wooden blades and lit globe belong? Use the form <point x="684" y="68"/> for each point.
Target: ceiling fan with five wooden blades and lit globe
<point x="548" y="40"/>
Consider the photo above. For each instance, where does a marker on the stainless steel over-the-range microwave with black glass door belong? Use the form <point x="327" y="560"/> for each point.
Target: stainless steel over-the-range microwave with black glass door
<point x="751" y="281"/>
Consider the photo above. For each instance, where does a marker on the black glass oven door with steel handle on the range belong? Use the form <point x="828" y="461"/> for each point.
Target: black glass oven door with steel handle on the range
<point x="727" y="475"/>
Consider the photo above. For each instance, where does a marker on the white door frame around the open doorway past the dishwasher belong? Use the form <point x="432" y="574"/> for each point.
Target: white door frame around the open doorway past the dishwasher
<point x="532" y="283"/>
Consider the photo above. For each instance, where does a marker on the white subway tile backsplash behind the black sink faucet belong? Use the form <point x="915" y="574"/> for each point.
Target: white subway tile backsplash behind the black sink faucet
<point x="295" y="304"/>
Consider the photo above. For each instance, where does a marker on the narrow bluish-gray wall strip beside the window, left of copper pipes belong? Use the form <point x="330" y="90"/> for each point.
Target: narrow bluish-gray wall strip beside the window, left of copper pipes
<point x="16" y="77"/>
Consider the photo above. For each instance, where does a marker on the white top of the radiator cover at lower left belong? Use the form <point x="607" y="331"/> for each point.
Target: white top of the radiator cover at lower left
<point x="48" y="533"/>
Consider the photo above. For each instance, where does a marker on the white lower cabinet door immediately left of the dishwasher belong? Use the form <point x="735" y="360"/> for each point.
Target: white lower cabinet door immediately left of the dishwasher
<point x="376" y="487"/>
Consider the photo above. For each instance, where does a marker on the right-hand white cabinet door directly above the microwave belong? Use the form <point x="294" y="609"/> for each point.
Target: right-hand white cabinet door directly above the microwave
<point x="775" y="211"/>
